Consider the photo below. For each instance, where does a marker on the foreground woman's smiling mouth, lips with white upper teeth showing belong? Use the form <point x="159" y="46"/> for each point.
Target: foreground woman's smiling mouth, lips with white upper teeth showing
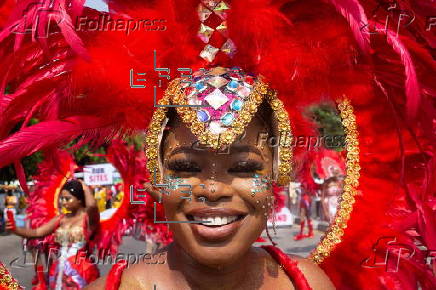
<point x="223" y="223"/>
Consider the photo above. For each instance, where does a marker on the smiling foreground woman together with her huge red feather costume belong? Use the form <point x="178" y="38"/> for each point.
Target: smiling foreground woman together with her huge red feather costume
<point x="263" y="61"/>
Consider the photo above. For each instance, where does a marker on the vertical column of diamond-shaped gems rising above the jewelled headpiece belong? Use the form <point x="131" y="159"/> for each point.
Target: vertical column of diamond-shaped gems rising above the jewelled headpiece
<point x="213" y="29"/>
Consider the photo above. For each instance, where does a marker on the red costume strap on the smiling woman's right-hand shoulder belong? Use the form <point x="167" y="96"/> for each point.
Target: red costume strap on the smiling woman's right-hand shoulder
<point x="290" y="267"/>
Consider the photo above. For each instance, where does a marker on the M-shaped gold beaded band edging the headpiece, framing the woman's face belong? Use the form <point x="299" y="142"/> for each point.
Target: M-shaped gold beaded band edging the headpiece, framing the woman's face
<point x="174" y="95"/>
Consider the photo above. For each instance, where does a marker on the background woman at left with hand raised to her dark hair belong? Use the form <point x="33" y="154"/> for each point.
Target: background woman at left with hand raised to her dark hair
<point x="72" y="231"/>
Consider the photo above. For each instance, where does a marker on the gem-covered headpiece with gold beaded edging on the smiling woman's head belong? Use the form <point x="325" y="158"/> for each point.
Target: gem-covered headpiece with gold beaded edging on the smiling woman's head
<point x="228" y="99"/>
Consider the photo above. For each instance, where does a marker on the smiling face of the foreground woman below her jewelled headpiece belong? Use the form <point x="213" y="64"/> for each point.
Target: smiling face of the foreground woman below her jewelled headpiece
<point x="231" y="190"/>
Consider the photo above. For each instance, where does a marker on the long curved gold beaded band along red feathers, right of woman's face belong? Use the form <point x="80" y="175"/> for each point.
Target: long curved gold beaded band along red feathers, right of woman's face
<point x="336" y="231"/>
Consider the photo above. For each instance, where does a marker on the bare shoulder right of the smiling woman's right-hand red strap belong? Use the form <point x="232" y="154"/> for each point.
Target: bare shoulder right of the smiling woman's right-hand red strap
<point x="315" y="276"/>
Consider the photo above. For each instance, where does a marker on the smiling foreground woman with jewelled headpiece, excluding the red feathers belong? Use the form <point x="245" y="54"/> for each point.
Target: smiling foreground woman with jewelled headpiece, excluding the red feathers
<point x="217" y="220"/>
